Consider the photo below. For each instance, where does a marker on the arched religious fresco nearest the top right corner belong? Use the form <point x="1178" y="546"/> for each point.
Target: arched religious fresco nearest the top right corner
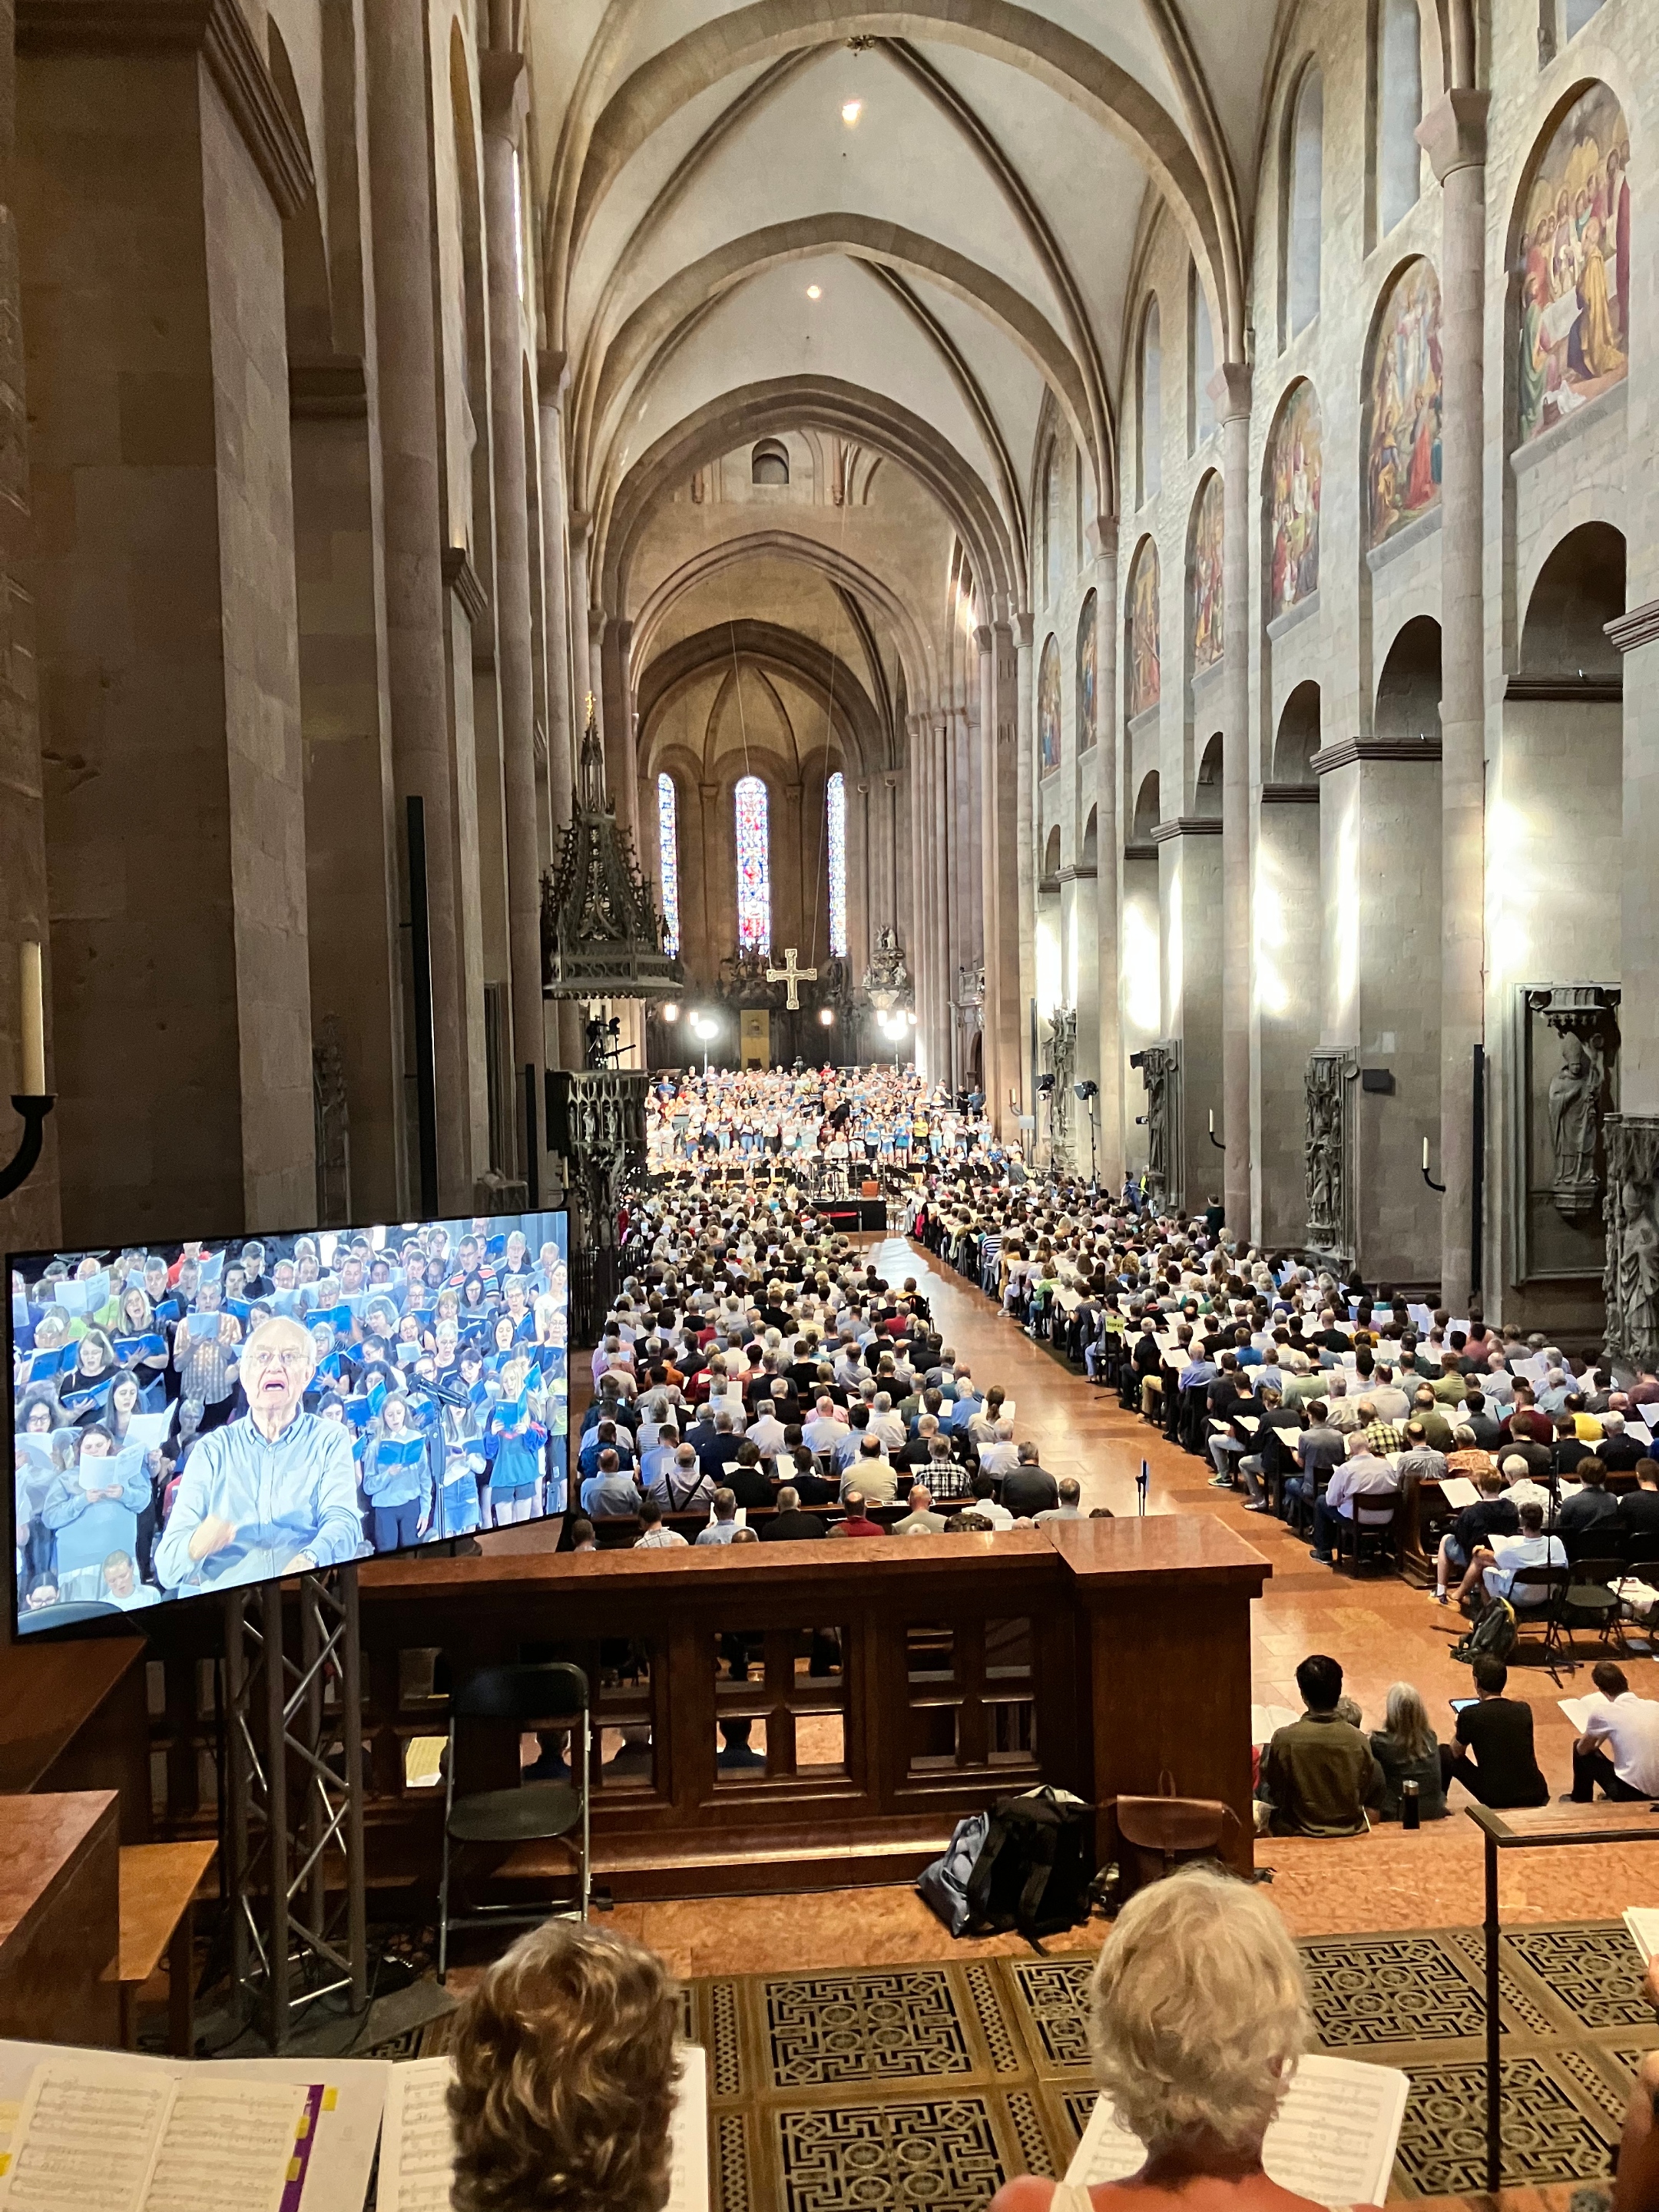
<point x="1574" y="337"/>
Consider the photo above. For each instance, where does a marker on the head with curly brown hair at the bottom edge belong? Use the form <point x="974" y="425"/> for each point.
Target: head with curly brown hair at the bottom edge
<point x="565" y="2076"/>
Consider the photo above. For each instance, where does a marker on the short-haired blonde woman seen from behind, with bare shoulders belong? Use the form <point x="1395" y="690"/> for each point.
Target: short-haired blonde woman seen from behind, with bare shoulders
<point x="1198" y="2018"/>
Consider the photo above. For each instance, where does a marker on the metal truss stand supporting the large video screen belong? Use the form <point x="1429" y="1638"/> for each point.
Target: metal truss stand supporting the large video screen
<point x="295" y="1830"/>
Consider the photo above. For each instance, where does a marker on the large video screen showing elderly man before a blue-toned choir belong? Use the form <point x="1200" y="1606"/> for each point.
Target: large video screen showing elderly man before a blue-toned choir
<point x="198" y="1417"/>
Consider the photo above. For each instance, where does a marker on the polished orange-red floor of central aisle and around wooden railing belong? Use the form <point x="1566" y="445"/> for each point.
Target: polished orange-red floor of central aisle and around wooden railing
<point x="1379" y="1629"/>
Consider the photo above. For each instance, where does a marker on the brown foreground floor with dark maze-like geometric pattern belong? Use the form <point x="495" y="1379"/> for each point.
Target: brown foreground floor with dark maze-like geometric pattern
<point x="921" y="2089"/>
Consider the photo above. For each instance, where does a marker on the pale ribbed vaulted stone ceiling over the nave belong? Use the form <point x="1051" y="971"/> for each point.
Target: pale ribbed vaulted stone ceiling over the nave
<point x="906" y="225"/>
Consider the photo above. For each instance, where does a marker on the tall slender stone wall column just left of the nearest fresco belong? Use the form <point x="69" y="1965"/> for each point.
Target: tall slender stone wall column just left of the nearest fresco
<point x="1457" y="140"/>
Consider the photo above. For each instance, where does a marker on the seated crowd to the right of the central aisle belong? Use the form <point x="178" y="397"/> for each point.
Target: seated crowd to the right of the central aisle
<point x="1322" y="1404"/>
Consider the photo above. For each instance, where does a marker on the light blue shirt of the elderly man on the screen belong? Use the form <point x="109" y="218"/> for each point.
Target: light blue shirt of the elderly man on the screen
<point x="298" y="1494"/>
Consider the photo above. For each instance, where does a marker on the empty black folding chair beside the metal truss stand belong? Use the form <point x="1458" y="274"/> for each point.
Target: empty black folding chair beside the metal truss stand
<point x="517" y="1698"/>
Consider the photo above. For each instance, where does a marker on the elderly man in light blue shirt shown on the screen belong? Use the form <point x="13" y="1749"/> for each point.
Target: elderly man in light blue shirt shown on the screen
<point x="273" y="1494"/>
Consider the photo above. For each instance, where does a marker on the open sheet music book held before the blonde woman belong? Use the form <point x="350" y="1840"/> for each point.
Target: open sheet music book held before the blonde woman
<point x="1335" y="2136"/>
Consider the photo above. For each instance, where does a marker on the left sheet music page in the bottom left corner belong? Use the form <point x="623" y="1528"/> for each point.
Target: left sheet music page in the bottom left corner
<point x="87" y="2138"/>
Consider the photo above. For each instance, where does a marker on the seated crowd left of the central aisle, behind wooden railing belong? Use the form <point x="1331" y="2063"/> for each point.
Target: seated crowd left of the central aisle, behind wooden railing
<point x="755" y="1364"/>
